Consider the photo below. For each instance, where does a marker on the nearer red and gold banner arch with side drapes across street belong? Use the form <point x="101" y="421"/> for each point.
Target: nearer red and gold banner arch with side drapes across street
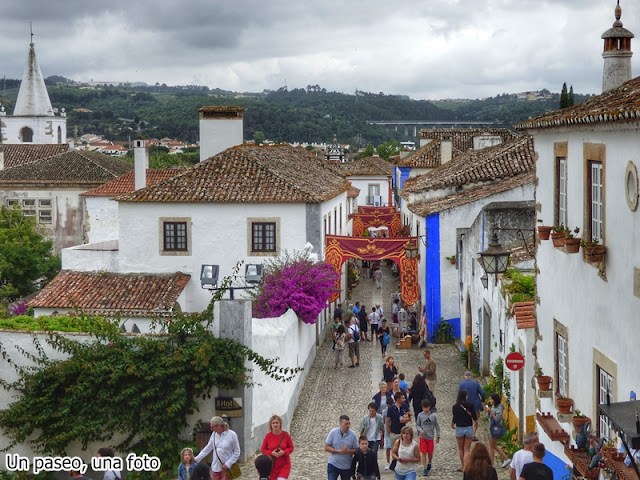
<point x="338" y="249"/>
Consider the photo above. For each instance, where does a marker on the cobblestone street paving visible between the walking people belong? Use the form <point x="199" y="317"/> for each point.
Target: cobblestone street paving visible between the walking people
<point x="329" y="393"/>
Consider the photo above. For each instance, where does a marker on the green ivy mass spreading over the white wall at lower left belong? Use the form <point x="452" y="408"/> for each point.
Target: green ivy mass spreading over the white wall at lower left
<point x="141" y="388"/>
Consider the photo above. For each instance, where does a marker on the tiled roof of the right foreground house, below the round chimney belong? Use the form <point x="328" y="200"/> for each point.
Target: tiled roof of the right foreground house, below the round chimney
<point x="621" y="104"/>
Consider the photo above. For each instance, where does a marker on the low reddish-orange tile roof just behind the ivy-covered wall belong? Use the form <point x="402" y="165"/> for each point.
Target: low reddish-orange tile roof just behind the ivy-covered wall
<point x="102" y="293"/>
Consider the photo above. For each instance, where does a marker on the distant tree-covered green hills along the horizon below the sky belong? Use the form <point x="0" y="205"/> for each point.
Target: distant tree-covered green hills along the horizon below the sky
<point x="309" y="114"/>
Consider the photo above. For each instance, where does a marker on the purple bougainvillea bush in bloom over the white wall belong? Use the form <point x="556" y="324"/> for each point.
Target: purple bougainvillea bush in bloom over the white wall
<point x="296" y="283"/>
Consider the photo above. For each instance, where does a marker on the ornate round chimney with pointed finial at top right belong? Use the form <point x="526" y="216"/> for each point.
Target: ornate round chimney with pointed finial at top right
<point x="617" y="54"/>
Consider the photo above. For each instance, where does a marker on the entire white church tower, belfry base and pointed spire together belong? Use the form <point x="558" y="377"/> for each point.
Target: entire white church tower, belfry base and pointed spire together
<point x="34" y="120"/>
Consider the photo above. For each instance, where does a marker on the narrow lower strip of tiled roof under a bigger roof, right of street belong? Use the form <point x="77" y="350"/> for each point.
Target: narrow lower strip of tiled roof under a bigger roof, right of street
<point x="424" y="208"/>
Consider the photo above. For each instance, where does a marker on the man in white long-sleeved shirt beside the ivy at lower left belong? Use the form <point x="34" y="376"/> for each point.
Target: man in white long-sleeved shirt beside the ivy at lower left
<point x="225" y="446"/>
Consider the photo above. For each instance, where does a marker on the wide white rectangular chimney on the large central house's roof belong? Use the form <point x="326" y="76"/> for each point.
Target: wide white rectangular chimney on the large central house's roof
<point x="220" y="128"/>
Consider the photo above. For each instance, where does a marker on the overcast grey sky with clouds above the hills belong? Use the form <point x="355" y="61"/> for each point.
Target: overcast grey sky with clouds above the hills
<point x="426" y="49"/>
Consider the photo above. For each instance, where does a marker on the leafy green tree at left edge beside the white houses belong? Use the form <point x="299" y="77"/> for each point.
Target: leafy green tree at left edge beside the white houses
<point x="25" y="255"/>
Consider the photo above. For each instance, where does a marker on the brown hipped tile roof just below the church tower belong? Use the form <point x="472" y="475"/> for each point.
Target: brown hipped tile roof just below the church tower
<point x="74" y="167"/>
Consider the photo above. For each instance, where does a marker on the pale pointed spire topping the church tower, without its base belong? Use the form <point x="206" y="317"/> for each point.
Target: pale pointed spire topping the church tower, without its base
<point x="33" y="98"/>
